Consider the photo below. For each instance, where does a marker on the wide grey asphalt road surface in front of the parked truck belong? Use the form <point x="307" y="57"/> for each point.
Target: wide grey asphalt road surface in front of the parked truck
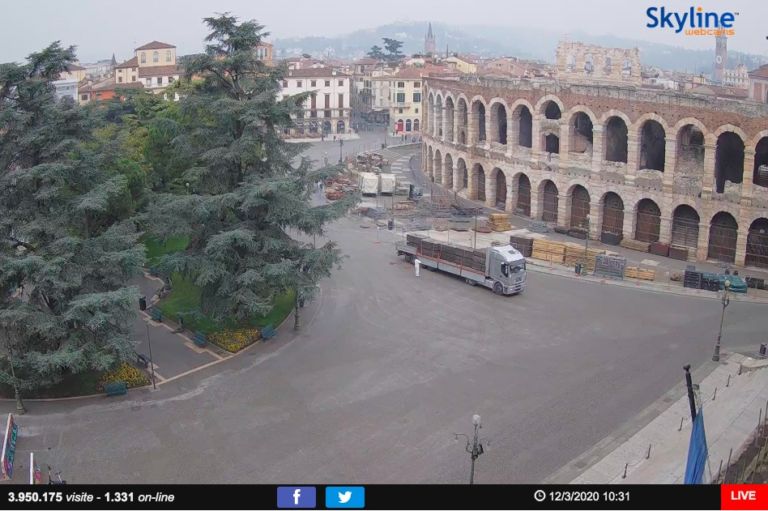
<point x="388" y="367"/>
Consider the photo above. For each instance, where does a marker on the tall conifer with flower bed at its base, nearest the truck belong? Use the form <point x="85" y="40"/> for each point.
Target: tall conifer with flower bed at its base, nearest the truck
<point x="246" y="195"/>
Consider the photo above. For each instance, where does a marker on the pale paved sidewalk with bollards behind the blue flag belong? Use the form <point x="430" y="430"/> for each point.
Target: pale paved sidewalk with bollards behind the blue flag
<point x="731" y="410"/>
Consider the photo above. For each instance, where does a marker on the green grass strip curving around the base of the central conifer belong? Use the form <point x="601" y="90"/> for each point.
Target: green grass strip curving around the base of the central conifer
<point x="185" y="296"/>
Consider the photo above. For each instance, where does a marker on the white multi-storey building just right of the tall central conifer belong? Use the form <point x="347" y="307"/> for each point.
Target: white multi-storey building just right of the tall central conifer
<point x="327" y="111"/>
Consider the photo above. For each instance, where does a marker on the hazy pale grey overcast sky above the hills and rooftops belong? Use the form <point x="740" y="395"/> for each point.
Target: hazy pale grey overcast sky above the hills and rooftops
<point x="100" y="27"/>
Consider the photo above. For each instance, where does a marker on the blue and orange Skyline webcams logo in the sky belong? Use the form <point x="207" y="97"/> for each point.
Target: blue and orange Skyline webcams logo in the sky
<point x="694" y="21"/>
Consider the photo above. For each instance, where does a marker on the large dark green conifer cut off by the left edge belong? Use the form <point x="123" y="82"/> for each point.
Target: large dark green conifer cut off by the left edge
<point x="65" y="247"/>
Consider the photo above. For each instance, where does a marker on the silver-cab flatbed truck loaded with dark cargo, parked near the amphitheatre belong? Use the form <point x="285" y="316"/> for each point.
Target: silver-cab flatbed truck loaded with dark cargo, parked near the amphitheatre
<point x="500" y="268"/>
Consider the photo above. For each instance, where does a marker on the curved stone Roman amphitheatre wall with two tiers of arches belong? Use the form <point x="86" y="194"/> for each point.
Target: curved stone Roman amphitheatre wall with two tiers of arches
<point x="623" y="162"/>
